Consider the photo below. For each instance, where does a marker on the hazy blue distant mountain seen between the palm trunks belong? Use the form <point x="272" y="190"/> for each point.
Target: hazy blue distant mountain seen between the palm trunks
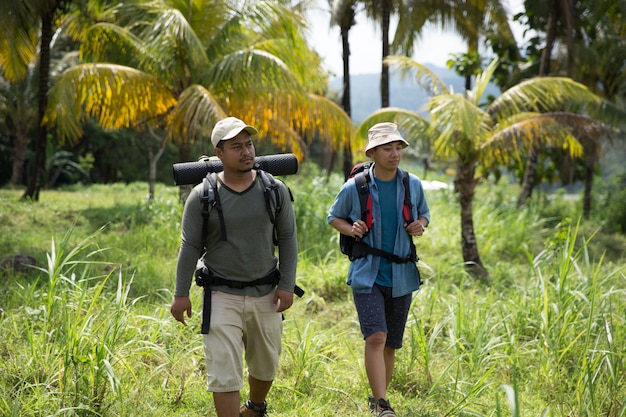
<point x="406" y="94"/>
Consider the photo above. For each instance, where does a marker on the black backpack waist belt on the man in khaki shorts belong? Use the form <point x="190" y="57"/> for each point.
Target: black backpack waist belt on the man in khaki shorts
<point x="206" y="279"/>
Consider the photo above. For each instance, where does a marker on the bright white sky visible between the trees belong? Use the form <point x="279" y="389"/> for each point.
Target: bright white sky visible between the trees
<point x="434" y="47"/>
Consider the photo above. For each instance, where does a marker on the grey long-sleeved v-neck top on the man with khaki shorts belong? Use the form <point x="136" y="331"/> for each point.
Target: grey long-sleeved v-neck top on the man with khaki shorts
<point x="248" y="253"/>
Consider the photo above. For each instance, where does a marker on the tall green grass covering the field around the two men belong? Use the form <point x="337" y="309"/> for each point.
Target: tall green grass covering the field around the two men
<point x="88" y="333"/>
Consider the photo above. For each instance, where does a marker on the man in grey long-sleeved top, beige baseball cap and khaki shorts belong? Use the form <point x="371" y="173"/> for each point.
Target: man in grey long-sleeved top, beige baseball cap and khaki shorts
<point x="246" y="287"/>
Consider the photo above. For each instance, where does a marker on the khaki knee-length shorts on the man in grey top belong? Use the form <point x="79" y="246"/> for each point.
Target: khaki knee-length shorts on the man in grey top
<point x="238" y="324"/>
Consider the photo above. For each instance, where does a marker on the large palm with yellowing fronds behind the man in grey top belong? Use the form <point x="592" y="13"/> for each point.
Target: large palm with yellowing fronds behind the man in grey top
<point x="171" y="84"/>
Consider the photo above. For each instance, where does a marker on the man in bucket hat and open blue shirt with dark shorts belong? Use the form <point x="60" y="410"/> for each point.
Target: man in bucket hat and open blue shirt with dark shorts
<point x="385" y="275"/>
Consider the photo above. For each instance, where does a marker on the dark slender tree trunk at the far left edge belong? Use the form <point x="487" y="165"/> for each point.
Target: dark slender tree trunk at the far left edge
<point x="37" y="165"/>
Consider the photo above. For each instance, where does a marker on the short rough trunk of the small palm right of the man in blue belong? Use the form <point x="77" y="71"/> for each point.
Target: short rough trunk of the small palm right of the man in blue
<point x="465" y="183"/>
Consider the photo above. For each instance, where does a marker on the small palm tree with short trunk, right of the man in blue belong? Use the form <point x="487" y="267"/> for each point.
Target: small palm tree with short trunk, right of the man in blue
<point x="482" y="137"/>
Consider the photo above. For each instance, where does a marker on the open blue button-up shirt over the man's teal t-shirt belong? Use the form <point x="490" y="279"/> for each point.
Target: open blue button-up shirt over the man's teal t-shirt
<point x="362" y="272"/>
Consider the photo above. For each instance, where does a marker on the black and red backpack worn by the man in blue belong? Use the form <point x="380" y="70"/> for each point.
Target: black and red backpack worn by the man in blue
<point x="355" y="248"/>
